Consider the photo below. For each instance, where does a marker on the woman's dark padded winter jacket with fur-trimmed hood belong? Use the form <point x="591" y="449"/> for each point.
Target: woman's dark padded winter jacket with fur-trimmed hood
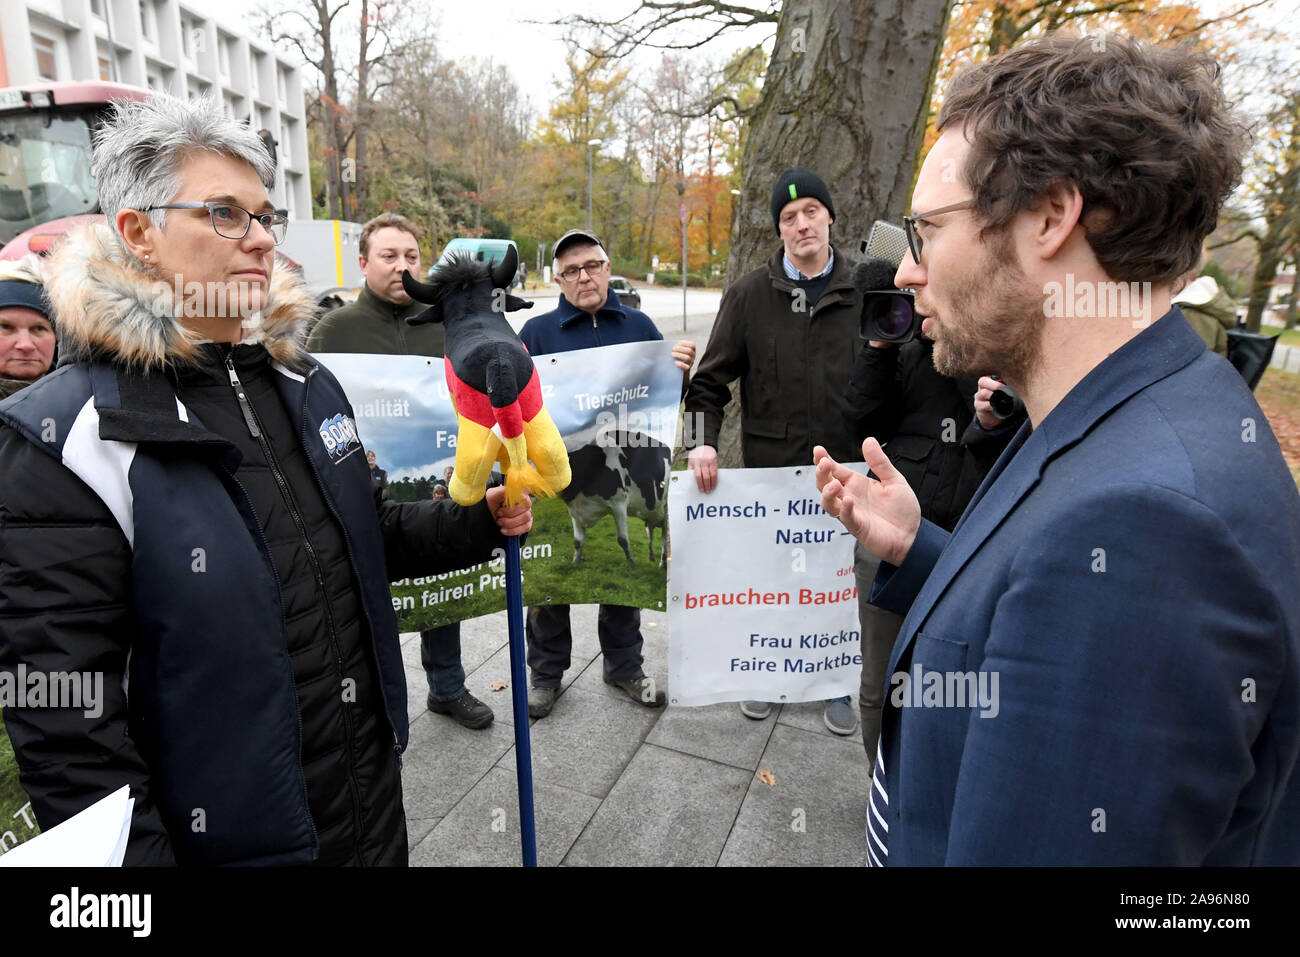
<point x="231" y="587"/>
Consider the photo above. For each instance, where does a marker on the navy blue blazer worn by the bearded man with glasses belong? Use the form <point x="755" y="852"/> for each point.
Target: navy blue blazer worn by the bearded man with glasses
<point x="1129" y="573"/>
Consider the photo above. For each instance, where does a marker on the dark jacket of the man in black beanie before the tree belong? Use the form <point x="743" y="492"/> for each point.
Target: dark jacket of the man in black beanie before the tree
<point x="794" y="362"/>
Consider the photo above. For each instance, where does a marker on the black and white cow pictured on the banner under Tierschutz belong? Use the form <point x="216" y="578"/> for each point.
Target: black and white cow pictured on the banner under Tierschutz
<point x="622" y="474"/>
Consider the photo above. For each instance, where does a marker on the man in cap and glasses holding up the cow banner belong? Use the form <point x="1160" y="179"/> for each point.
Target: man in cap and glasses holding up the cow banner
<point x="590" y="315"/>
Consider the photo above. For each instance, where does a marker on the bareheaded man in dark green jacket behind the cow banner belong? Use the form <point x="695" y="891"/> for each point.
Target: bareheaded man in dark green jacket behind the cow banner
<point x="376" y="324"/>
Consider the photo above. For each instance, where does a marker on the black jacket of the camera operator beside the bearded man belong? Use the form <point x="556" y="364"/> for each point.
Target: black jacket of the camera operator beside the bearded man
<point x="929" y="423"/>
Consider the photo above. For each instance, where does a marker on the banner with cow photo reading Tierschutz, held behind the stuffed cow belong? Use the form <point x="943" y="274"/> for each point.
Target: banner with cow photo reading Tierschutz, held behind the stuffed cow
<point x="603" y="542"/>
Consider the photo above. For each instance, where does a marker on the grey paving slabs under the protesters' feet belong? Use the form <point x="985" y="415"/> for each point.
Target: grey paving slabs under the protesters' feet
<point x="621" y="785"/>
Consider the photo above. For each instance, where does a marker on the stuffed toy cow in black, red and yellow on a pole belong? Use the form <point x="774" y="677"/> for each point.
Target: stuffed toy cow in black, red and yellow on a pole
<point x="493" y="383"/>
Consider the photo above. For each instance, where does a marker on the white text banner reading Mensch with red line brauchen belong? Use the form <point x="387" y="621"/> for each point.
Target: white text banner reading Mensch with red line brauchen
<point x="762" y="604"/>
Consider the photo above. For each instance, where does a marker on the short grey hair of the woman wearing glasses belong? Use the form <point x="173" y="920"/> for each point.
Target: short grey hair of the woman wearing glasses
<point x="142" y="145"/>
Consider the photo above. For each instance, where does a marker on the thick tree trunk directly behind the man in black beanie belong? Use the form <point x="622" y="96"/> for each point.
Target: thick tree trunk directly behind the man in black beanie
<point x="847" y="96"/>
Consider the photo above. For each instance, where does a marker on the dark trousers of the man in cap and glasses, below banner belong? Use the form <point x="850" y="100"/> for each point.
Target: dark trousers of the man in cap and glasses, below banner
<point x="551" y="643"/>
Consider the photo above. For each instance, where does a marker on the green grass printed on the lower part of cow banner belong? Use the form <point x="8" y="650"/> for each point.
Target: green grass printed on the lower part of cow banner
<point x="551" y="578"/>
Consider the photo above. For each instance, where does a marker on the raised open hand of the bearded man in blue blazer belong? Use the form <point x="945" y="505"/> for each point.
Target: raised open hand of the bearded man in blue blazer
<point x="883" y="516"/>
